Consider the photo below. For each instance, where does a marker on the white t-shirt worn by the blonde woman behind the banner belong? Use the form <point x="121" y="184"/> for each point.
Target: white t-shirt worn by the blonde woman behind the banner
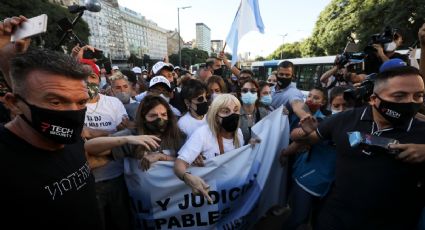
<point x="203" y="142"/>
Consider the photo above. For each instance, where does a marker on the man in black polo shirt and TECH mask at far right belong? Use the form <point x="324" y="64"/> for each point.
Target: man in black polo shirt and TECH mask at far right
<point x="375" y="189"/>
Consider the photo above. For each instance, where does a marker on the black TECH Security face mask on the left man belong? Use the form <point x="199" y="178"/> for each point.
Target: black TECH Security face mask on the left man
<point x="63" y="127"/>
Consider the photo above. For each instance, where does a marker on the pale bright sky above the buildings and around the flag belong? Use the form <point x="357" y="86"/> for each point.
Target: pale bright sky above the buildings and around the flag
<point x="295" y="19"/>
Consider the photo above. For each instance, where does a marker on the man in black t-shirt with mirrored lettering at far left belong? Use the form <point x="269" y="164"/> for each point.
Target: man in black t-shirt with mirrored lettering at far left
<point x="45" y="176"/>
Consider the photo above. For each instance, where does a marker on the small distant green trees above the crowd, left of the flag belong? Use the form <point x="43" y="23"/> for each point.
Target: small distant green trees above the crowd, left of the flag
<point x="189" y="57"/>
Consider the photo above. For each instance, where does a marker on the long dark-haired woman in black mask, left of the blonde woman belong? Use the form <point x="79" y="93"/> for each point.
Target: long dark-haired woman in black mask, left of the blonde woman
<point x="156" y="137"/>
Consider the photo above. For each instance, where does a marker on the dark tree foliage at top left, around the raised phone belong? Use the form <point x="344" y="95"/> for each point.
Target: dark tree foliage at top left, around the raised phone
<point x="55" y="12"/>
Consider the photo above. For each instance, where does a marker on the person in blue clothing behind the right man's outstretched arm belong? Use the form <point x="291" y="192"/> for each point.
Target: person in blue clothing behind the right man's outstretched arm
<point x="313" y="171"/>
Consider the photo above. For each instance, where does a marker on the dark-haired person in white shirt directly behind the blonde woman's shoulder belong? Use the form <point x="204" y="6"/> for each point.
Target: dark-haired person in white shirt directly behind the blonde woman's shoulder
<point x="194" y="95"/>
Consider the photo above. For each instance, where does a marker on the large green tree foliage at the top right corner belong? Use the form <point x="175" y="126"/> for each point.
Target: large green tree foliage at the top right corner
<point x="359" y="19"/>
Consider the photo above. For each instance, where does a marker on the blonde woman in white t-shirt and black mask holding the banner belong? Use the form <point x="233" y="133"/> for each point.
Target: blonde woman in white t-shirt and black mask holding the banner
<point x="222" y="134"/>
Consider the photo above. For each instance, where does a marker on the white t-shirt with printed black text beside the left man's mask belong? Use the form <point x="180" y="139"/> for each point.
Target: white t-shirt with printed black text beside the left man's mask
<point x="106" y="114"/>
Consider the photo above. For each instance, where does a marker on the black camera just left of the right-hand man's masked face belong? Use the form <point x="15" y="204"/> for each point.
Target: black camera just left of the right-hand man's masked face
<point x="361" y="94"/>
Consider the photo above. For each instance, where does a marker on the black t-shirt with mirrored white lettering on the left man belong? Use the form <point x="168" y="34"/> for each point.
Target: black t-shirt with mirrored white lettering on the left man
<point x="46" y="189"/>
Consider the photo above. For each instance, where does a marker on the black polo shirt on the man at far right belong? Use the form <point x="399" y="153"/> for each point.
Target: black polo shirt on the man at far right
<point x="373" y="189"/>
